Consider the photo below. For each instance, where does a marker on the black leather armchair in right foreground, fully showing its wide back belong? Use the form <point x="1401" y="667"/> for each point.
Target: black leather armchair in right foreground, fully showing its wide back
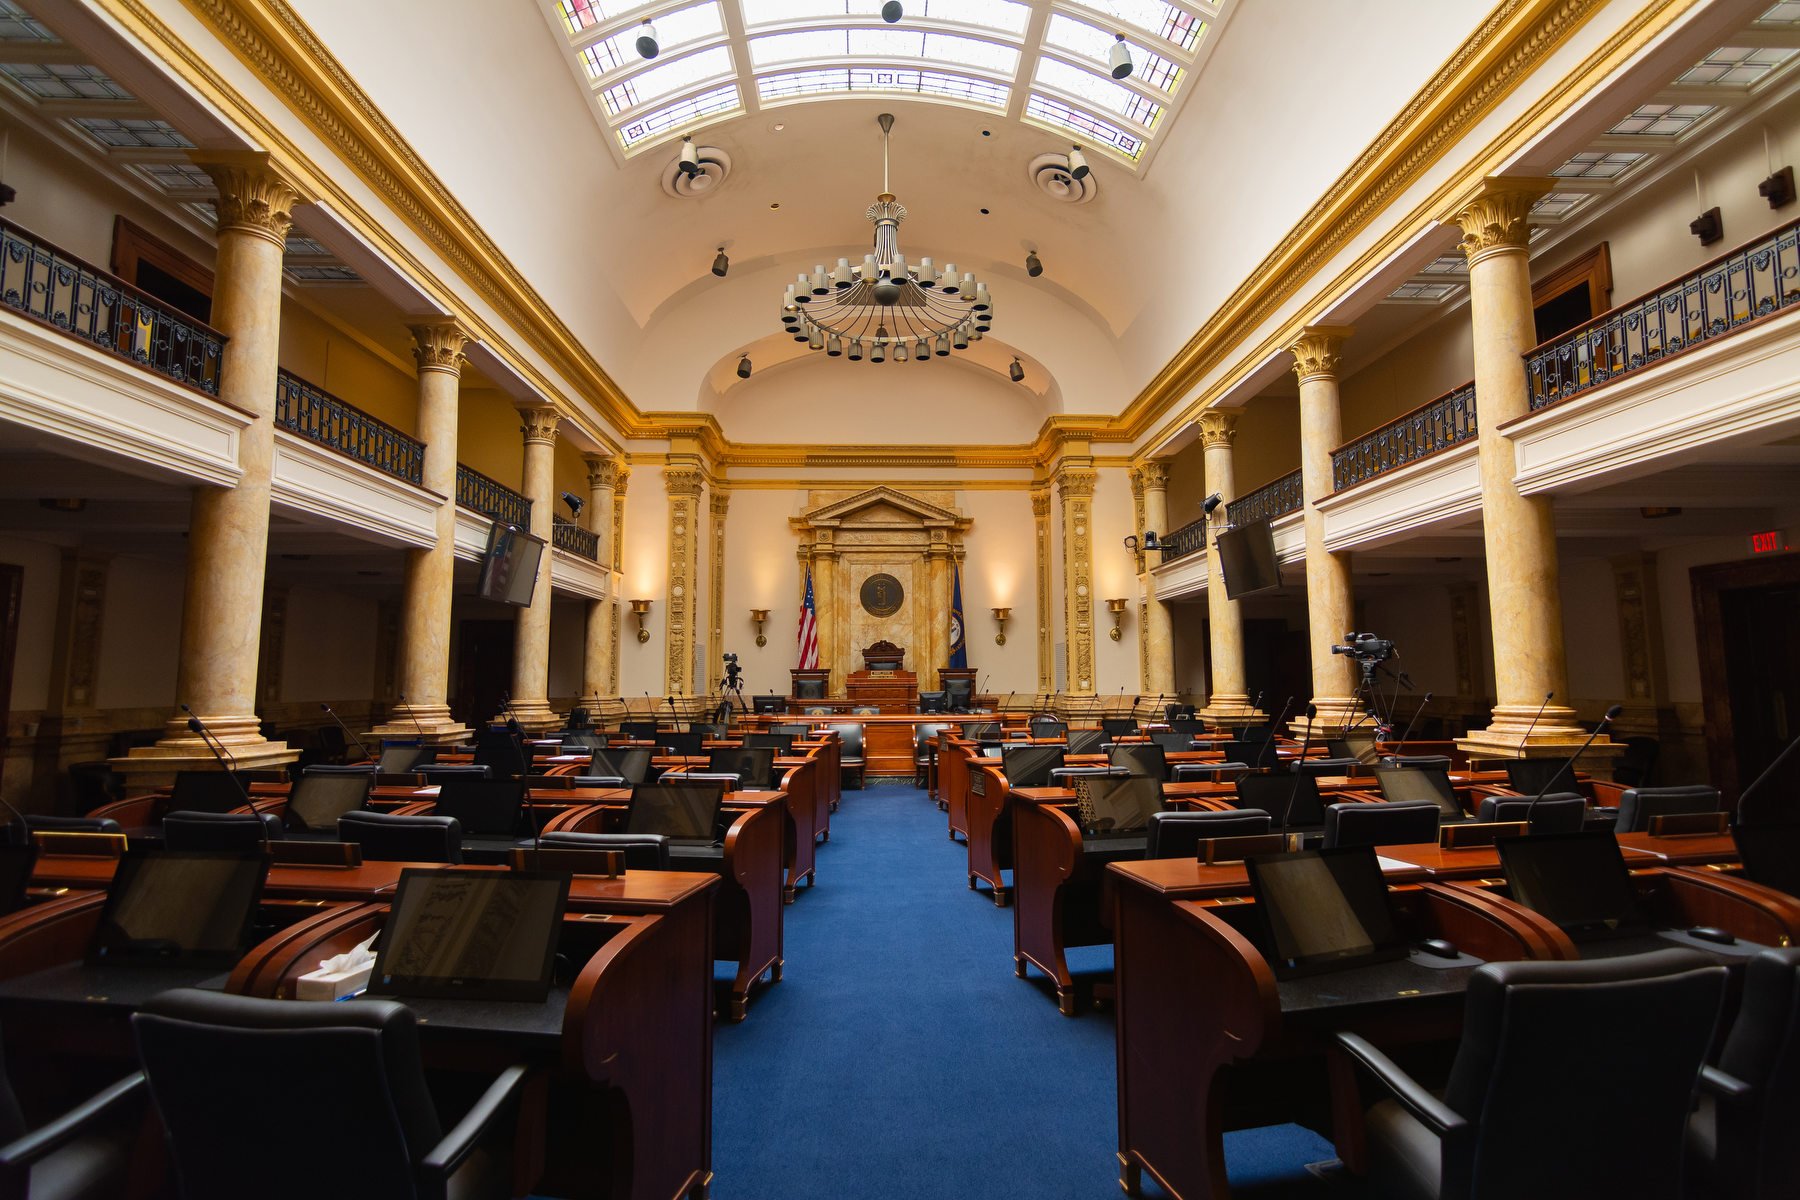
<point x="1516" y="1122"/>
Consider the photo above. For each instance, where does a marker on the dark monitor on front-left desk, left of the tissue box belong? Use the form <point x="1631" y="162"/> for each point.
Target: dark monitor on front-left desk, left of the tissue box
<point x="174" y="908"/>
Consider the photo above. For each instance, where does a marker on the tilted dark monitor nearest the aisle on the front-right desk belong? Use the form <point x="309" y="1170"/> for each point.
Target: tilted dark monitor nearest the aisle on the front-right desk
<point x="1324" y="911"/>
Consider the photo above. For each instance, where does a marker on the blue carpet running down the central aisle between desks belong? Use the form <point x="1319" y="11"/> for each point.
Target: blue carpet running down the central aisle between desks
<point x="901" y="1057"/>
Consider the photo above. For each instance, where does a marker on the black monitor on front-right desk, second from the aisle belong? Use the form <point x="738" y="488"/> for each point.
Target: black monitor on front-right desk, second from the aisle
<point x="1579" y="881"/>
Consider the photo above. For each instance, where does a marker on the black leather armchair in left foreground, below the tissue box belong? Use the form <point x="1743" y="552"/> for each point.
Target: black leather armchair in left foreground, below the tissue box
<point x="343" y="1080"/>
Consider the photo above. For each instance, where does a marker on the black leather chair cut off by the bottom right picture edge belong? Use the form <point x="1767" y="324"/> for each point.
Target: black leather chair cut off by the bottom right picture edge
<point x="1740" y="1140"/>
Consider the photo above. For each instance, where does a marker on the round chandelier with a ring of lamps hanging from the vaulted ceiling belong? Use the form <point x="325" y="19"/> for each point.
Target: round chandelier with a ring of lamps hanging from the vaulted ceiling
<point x="885" y="307"/>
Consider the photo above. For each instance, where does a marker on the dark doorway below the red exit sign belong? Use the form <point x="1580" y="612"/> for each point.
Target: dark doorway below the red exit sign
<point x="1750" y="677"/>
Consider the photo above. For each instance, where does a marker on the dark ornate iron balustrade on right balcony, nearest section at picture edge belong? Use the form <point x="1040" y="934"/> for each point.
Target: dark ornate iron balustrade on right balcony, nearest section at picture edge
<point x="1723" y="296"/>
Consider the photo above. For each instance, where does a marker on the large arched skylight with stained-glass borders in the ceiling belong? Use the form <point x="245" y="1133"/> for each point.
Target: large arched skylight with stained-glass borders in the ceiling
<point x="721" y="58"/>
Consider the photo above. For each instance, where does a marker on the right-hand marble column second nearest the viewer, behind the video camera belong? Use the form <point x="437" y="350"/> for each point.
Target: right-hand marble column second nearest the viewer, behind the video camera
<point x="1329" y="614"/>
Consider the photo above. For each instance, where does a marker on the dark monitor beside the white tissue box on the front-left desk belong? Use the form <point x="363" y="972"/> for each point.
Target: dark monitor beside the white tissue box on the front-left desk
<point x="471" y="935"/>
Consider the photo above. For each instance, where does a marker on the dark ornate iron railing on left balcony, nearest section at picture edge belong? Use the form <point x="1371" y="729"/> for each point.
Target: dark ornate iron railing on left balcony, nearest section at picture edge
<point x="60" y="291"/>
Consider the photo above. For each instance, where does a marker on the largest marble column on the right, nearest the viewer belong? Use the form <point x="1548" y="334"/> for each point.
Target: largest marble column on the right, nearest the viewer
<point x="1518" y="532"/>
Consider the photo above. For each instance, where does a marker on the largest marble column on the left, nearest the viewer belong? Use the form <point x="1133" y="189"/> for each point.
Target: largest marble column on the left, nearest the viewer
<point x="228" y="530"/>
